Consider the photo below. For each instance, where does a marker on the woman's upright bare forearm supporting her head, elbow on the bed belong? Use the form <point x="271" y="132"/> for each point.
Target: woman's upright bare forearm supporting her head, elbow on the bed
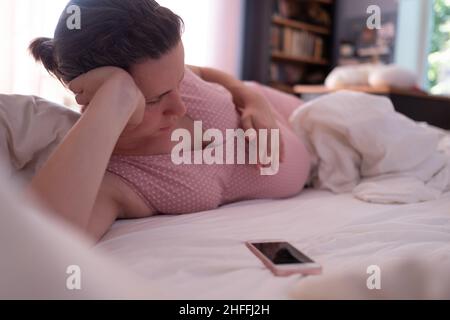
<point x="70" y="180"/>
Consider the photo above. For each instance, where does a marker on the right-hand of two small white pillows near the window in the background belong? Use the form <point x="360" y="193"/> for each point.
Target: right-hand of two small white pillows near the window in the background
<point x="393" y="76"/>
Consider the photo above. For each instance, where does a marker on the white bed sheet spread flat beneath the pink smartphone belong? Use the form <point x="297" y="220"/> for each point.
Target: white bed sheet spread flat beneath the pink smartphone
<point x="202" y="256"/>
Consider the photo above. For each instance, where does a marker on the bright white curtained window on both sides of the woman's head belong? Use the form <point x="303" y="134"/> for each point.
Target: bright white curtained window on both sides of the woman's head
<point x="212" y="38"/>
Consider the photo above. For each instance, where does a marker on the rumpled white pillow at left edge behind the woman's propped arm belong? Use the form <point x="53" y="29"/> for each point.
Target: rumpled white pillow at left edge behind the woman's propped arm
<point x="30" y="129"/>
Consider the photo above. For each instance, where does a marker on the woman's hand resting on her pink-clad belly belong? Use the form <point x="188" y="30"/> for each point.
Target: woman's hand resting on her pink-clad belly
<point x="256" y="113"/>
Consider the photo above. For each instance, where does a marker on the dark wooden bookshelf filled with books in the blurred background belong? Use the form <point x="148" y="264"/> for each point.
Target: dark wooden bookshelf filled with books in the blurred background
<point x="288" y="42"/>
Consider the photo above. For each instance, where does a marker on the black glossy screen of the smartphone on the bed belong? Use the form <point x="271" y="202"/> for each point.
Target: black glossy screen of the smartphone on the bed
<point x="281" y="253"/>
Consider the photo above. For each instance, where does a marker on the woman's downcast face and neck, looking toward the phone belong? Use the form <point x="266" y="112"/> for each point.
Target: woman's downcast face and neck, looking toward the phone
<point x="159" y="80"/>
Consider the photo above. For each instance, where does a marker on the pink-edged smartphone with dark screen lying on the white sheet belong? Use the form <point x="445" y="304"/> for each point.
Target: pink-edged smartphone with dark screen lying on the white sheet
<point x="283" y="259"/>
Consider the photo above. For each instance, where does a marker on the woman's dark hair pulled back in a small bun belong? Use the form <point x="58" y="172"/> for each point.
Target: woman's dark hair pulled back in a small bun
<point x="115" y="33"/>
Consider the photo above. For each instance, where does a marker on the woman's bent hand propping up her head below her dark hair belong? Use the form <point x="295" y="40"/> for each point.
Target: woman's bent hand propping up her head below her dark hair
<point x="105" y="81"/>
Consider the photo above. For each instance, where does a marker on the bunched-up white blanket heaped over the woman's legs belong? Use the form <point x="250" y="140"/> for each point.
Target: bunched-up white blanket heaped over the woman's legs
<point x="360" y="144"/>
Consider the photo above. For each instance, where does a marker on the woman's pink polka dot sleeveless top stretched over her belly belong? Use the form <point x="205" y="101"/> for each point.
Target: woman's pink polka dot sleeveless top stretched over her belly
<point x="178" y="189"/>
